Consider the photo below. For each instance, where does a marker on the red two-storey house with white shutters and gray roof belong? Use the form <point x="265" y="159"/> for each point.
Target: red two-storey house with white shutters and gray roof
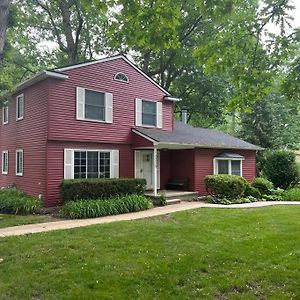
<point x="107" y="118"/>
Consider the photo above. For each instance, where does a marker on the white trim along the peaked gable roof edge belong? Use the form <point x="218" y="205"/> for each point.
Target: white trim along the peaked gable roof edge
<point x="102" y="60"/>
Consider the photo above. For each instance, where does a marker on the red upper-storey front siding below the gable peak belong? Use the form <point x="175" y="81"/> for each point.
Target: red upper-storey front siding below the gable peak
<point x="63" y="124"/>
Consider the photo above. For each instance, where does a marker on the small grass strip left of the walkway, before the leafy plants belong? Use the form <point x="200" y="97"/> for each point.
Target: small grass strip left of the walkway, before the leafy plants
<point x="15" y="220"/>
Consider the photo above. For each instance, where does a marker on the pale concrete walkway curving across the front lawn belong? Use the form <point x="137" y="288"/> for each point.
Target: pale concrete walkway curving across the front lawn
<point x="157" y="211"/>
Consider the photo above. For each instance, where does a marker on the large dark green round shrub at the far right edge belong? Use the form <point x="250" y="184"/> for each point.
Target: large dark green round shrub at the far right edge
<point x="280" y="167"/>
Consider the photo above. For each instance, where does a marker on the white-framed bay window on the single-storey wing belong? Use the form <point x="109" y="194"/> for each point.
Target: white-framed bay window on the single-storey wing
<point x="229" y="163"/>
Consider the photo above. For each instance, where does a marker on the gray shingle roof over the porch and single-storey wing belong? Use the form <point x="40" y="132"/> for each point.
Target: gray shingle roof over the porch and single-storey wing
<point x="199" y="137"/>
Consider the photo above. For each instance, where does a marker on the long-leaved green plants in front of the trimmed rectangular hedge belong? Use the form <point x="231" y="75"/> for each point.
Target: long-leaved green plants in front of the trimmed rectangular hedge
<point x="98" y="208"/>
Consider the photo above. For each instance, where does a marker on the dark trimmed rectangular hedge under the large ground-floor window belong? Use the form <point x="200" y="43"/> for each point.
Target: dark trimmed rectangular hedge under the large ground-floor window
<point x="103" y="188"/>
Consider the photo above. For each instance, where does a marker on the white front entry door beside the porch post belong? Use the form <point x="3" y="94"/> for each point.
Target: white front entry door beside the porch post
<point x="144" y="167"/>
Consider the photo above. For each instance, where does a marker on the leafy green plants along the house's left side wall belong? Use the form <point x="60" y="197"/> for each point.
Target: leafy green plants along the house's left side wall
<point x="15" y="202"/>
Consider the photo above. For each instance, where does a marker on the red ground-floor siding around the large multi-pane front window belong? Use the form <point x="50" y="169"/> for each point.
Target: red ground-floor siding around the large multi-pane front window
<point x="55" y="165"/>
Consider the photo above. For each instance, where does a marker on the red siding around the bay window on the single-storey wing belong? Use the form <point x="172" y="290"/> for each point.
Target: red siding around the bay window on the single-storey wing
<point x="204" y="165"/>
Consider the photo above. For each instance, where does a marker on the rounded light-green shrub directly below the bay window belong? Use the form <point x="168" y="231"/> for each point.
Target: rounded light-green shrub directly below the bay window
<point x="225" y="186"/>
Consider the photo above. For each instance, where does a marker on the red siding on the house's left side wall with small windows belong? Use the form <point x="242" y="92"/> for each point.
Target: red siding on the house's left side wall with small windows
<point x="30" y="135"/>
